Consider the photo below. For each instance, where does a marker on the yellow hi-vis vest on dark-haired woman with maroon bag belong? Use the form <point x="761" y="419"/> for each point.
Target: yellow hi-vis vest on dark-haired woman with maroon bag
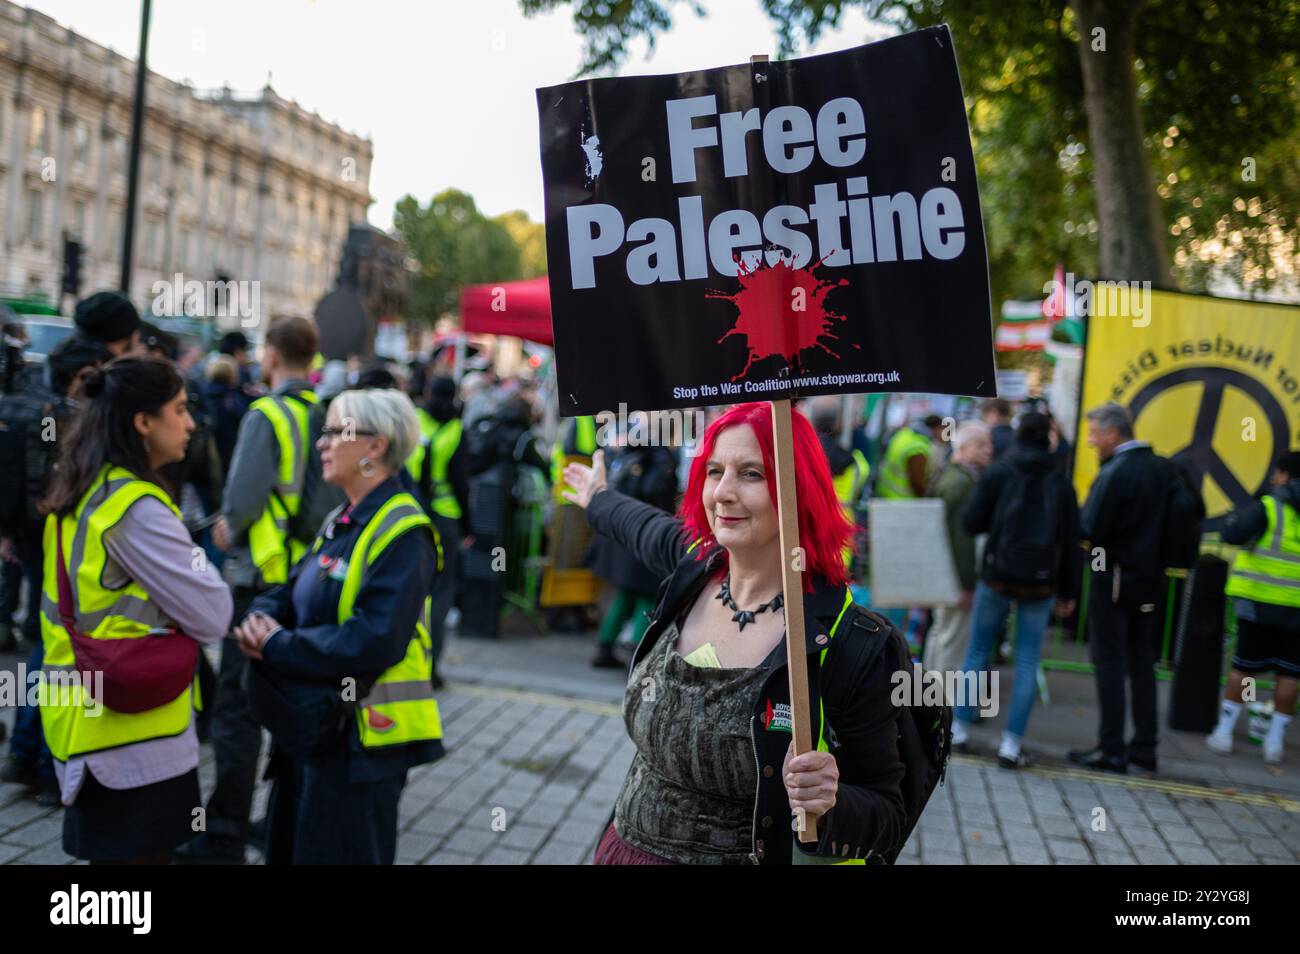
<point x="72" y="722"/>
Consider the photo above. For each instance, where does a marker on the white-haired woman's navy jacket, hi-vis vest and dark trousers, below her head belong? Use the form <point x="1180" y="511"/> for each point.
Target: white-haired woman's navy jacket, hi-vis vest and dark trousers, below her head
<point x="356" y="617"/>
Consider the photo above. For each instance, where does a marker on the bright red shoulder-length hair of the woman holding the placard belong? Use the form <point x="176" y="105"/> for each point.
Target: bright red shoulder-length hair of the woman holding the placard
<point x="824" y="528"/>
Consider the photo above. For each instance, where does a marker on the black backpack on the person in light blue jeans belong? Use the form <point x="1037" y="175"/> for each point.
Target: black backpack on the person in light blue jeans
<point x="1022" y="547"/>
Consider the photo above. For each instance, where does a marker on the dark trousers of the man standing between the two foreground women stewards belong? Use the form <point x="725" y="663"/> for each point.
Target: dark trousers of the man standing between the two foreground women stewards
<point x="236" y="736"/>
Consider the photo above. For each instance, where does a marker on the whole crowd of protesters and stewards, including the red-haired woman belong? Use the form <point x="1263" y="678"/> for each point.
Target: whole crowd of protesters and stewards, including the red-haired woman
<point x="324" y="523"/>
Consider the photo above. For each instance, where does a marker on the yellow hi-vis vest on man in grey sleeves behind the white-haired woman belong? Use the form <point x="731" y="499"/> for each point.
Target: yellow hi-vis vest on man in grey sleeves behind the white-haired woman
<point x="271" y="547"/>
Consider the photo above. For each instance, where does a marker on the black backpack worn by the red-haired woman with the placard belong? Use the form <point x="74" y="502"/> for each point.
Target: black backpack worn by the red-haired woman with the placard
<point x="925" y="732"/>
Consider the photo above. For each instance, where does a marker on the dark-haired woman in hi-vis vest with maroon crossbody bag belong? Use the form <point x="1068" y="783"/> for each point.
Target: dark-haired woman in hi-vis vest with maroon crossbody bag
<point x="127" y="600"/>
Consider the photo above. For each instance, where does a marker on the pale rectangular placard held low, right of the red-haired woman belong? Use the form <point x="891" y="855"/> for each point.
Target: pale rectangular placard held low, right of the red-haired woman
<point x="912" y="563"/>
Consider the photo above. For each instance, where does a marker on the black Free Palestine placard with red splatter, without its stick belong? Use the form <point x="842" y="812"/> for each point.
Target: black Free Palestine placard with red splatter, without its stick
<point x="768" y="231"/>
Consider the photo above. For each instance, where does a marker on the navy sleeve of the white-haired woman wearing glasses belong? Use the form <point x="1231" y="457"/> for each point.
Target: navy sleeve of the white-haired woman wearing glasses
<point x="376" y="636"/>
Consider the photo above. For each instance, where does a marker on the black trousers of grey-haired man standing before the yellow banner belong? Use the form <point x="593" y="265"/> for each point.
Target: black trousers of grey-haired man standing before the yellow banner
<point x="1123" y="641"/>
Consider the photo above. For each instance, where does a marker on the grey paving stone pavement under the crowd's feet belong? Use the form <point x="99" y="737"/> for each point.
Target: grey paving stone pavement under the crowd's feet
<point x="531" y="779"/>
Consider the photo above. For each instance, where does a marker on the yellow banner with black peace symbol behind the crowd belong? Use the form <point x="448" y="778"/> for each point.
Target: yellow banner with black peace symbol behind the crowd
<point x="1210" y="381"/>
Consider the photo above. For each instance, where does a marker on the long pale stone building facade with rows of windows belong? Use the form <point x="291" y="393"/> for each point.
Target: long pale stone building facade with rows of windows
<point x="232" y="188"/>
